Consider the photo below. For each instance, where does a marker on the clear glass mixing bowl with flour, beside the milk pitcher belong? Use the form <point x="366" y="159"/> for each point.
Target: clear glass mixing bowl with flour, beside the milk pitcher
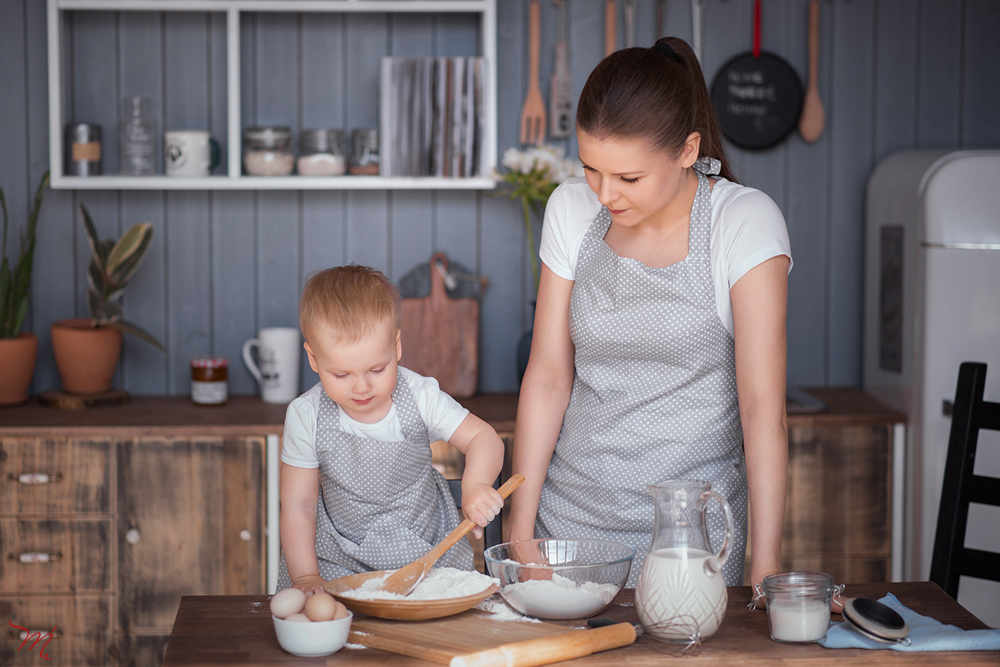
<point x="560" y="579"/>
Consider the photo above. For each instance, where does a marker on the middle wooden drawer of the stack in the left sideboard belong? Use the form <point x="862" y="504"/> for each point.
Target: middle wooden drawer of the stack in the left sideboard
<point x="55" y="556"/>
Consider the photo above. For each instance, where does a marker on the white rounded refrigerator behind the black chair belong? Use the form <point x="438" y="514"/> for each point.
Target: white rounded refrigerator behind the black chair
<point x="932" y="301"/>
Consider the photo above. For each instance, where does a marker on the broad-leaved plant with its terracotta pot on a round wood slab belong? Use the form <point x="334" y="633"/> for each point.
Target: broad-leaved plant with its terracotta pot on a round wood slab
<point x="87" y="348"/>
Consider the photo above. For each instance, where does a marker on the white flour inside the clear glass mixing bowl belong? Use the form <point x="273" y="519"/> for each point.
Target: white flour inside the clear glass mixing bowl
<point x="559" y="597"/>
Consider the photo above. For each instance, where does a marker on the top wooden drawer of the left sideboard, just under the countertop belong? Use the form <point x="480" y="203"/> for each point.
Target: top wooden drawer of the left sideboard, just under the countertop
<point x="54" y="476"/>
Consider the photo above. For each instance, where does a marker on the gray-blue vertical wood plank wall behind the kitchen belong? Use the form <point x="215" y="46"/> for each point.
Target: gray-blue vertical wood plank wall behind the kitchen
<point x="894" y="75"/>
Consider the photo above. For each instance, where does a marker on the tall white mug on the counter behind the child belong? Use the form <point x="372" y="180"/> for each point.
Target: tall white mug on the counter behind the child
<point x="277" y="370"/>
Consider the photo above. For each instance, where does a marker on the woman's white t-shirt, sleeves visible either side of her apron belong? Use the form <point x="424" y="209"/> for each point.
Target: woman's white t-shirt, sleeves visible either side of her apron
<point x="747" y="229"/>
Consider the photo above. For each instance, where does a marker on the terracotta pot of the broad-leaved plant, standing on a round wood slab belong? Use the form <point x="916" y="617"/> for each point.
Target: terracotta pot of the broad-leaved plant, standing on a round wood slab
<point x="85" y="356"/>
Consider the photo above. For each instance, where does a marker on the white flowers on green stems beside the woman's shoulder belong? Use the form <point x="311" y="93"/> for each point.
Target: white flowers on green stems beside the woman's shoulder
<point x="532" y="175"/>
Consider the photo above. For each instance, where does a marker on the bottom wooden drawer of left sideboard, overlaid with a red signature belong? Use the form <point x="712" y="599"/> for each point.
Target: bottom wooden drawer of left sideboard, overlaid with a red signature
<point x="82" y="630"/>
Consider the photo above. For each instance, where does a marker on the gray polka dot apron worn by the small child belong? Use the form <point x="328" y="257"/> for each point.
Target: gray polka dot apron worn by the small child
<point x="381" y="504"/>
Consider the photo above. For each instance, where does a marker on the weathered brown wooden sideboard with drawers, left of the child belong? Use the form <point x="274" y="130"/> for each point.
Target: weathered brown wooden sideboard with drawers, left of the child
<point x="109" y="516"/>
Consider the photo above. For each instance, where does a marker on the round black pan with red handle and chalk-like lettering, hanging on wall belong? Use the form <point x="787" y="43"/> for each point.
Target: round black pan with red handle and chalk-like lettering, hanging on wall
<point x="757" y="96"/>
